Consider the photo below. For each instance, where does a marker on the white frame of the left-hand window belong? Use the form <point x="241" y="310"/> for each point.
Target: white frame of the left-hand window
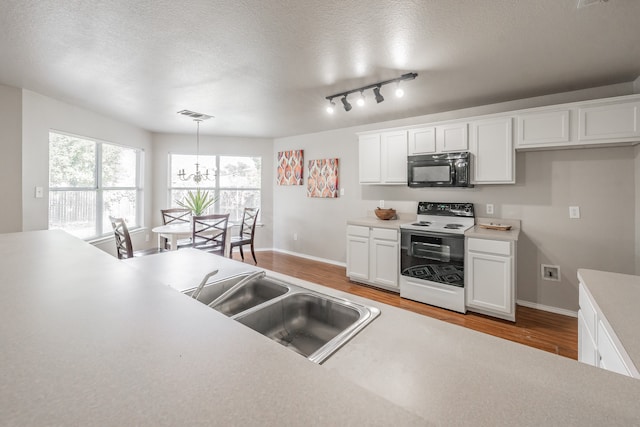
<point x="99" y="189"/>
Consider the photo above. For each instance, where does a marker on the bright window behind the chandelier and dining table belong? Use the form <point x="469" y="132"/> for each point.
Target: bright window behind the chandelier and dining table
<point x="235" y="180"/>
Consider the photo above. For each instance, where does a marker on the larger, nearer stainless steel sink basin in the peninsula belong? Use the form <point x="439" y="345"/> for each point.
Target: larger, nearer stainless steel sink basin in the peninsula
<point x="312" y="324"/>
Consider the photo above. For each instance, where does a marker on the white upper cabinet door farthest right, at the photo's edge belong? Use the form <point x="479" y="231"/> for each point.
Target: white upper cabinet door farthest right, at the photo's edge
<point x="607" y="122"/>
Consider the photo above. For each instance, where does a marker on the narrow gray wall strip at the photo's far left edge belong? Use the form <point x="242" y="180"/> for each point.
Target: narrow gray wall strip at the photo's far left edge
<point x="11" y="159"/>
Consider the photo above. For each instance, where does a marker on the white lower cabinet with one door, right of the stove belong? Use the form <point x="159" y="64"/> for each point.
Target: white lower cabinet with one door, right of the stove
<point x="490" y="277"/>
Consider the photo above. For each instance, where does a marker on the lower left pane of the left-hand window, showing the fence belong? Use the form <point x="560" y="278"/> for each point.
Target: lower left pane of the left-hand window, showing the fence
<point x="73" y="211"/>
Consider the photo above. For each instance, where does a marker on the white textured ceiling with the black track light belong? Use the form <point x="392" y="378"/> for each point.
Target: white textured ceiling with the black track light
<point x="263" y="68"/>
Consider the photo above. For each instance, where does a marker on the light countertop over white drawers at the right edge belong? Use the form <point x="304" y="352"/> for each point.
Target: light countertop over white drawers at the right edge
<point x="617" y="296"/>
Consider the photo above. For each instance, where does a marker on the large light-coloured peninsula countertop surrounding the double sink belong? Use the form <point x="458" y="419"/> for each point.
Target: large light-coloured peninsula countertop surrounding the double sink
<point x="90" y="340"/>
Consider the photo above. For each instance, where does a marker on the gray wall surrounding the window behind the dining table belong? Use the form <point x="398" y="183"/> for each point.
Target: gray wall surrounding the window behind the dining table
<point x="163" y="144"/>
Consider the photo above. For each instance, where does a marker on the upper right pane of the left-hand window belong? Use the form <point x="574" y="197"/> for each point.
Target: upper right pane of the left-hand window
<point x="118" y="166"/>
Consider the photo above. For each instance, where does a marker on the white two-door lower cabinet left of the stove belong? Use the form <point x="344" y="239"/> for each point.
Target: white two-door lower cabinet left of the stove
<point x="373" y="256"/>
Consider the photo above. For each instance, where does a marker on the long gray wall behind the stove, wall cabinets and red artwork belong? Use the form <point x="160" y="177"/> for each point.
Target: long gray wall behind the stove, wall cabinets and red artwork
<point x="548" y="182"/>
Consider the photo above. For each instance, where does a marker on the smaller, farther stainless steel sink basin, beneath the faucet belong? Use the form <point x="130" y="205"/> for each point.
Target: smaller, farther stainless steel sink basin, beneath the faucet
<point x="248" y="295"/>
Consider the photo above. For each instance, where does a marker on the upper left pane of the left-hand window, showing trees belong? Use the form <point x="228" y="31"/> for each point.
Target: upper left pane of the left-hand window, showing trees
<point x="72" y="161"/>
